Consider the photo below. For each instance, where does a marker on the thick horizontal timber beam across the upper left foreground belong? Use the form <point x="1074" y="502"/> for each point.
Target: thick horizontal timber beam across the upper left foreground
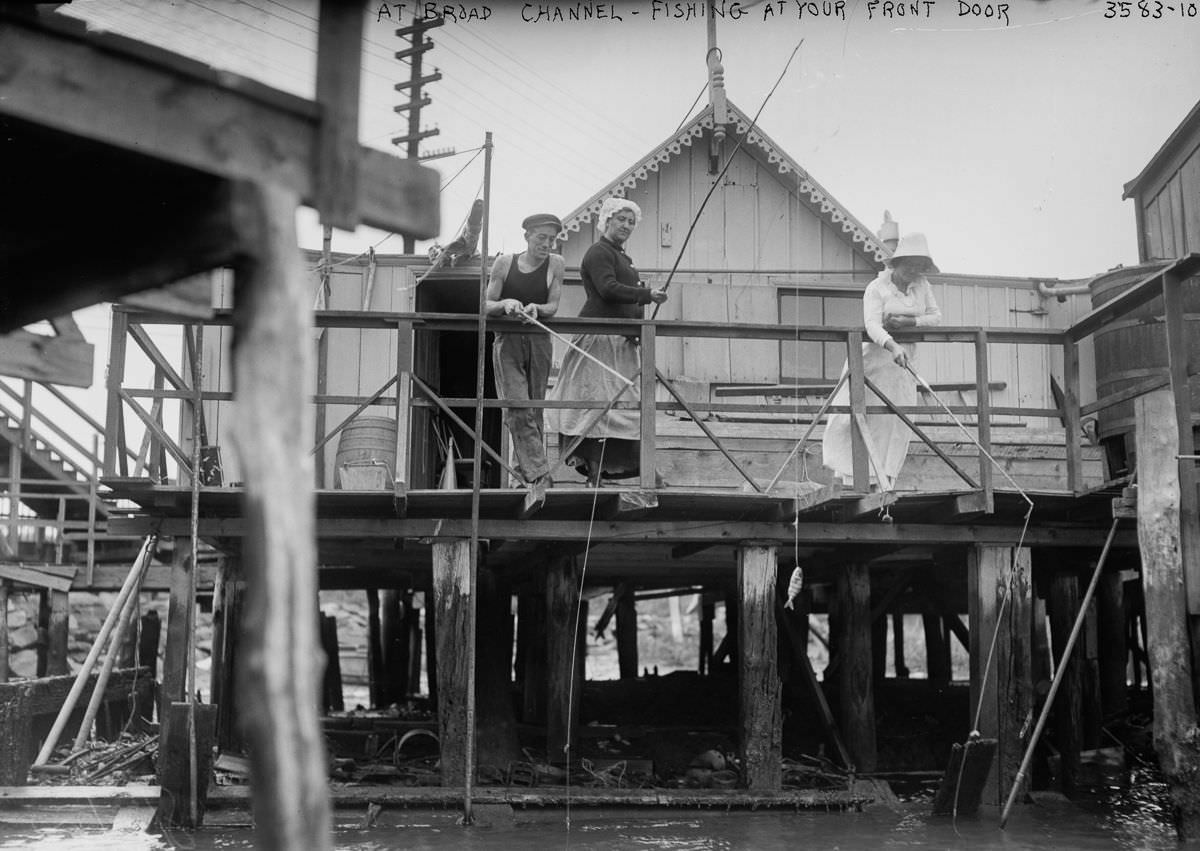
<point x="137" y="99"/>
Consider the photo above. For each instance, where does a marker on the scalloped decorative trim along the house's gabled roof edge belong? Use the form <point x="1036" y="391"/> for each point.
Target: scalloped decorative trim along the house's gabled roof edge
<point x="757" y="143"/>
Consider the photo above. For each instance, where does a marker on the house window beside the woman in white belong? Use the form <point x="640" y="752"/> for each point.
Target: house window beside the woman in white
<point x="807" y="361"/>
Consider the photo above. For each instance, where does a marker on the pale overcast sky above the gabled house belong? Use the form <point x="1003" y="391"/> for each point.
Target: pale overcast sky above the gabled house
<point x="1007" y="139"/>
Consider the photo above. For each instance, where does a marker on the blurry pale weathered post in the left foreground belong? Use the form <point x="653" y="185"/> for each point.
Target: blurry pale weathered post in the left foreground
<point x="279" y="673"/>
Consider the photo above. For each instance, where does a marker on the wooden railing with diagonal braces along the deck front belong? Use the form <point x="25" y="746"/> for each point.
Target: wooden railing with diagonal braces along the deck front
<point x="406" y="383"/>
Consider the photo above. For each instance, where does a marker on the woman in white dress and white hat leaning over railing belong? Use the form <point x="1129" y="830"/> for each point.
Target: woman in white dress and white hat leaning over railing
<point x="901" y="297"/>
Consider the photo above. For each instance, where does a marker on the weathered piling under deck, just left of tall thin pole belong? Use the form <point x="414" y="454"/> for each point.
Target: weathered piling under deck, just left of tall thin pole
<point x="452" y="597"/>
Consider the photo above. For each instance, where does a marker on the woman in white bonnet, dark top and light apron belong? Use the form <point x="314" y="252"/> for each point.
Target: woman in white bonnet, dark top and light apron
<point x="611" y="448"/>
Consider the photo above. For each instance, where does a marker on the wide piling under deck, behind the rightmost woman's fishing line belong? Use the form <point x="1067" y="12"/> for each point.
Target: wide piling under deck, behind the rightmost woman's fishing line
<point x="1005" y="699"/>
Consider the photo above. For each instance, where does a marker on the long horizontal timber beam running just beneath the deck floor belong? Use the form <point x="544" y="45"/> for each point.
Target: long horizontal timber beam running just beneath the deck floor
<point x="664" y="532"/>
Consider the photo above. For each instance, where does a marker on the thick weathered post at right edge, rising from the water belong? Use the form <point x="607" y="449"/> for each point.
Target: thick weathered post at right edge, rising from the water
<point x="1160" y="538"/>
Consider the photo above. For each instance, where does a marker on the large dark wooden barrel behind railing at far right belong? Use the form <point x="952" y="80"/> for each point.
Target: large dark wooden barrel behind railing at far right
<point x="1133" y="349"/>
